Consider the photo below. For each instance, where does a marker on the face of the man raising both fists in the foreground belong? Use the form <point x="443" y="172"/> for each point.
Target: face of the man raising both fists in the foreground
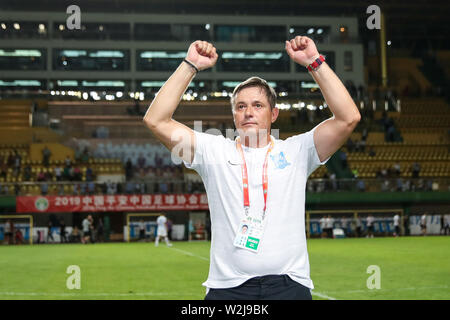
<point x="252" y="113"/>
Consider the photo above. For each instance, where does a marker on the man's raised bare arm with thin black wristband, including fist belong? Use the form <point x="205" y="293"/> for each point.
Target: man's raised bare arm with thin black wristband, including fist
<point x="159" y="115"/>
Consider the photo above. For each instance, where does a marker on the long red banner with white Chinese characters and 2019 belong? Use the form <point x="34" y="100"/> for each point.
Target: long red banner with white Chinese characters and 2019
<point x="99" y="203"/>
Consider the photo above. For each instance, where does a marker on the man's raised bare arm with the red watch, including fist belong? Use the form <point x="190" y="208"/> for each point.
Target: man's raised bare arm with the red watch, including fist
<point x="332" y="133"/>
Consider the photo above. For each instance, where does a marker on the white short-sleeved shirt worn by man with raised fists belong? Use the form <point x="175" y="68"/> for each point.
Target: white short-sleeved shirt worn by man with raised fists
<point x="283" y="247"/>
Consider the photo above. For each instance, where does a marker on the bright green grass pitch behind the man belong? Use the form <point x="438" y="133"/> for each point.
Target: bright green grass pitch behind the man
<point x="410" y="267"/>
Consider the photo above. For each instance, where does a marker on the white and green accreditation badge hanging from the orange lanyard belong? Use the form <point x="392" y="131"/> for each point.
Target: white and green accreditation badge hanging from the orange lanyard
<point x="249" y="233"/>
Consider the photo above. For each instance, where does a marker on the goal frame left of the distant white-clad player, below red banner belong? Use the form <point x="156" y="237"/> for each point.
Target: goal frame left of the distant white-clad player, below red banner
<point x="140" y="226"/>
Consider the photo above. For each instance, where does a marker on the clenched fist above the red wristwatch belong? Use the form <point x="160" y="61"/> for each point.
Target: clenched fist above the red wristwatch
<point x="302" y="50"/>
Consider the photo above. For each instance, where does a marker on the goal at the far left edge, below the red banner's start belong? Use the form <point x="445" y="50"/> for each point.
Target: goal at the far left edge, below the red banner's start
<point x="16" y="229"/>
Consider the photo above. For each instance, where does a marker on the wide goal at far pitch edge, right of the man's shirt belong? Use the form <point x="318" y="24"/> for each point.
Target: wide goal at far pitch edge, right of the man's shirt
<point x="353" y="223"/>
